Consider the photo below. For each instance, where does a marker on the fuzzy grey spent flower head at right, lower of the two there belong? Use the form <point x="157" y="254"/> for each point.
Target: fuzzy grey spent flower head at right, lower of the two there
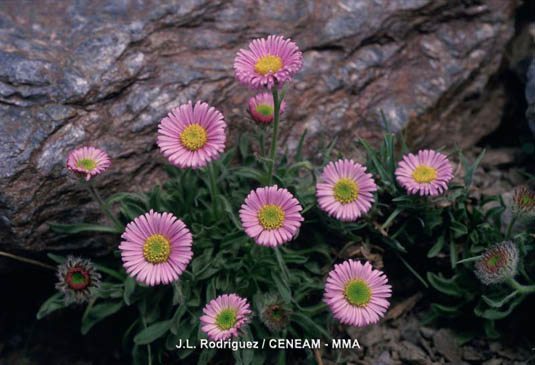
<point x="498" y="263"/>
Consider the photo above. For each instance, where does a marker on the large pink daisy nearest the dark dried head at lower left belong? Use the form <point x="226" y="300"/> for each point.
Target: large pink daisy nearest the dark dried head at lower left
<point x="156" y="248"/>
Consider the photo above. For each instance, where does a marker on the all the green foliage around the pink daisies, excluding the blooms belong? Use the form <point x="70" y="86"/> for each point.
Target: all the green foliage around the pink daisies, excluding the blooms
<point x="421" y="232"/>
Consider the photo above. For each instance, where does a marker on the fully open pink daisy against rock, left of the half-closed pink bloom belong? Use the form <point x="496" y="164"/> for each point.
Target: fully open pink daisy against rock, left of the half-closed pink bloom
<point x="192" y="136"/>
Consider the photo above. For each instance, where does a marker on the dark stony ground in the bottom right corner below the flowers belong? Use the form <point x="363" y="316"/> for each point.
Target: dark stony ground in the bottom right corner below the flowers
<point x="405" y="341"/>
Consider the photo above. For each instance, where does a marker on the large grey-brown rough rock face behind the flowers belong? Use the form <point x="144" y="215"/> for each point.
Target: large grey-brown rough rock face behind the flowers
<point x="105" y="72"/>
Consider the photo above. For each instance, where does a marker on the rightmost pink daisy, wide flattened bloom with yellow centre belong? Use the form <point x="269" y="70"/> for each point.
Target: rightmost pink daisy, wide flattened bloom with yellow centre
<point x="427" y="173"/>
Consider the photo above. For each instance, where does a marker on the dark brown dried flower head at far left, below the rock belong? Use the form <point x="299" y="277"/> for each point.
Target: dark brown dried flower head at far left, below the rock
<point x="77" y="279"/>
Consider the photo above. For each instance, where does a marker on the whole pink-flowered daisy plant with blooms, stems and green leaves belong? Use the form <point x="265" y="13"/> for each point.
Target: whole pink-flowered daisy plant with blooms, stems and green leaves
<point x="199" y="253"/>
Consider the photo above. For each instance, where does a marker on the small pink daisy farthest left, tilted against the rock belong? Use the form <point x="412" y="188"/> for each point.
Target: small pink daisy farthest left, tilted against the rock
<point x="88" y="161"/>
